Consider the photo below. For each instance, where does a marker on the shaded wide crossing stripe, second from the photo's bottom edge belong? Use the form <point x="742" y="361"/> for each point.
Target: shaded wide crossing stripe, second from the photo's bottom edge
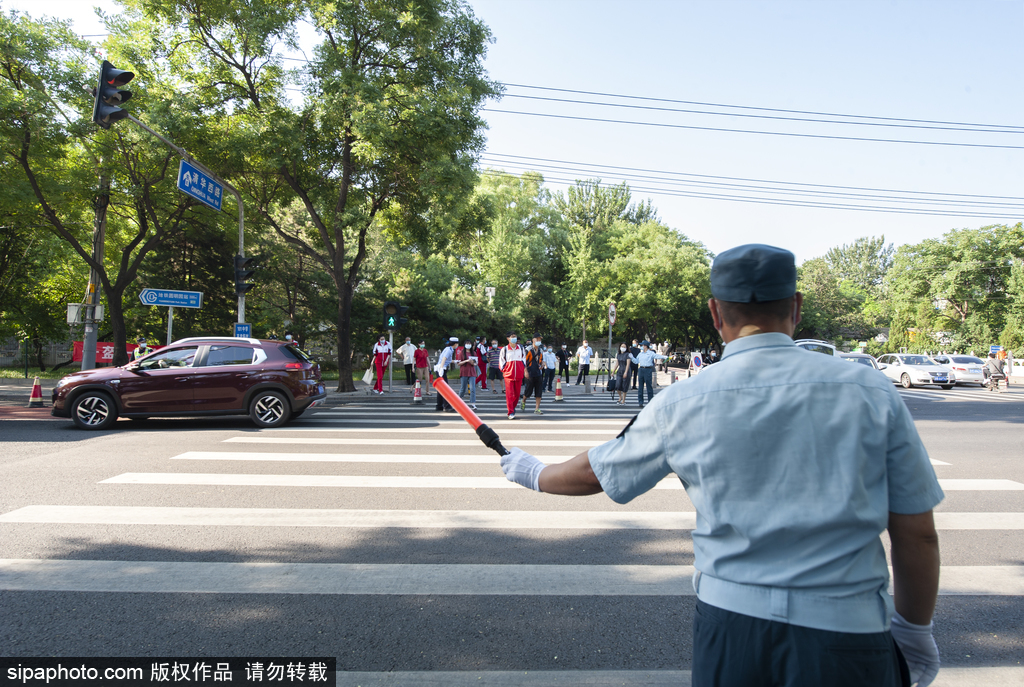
<point x="421" y="579"/>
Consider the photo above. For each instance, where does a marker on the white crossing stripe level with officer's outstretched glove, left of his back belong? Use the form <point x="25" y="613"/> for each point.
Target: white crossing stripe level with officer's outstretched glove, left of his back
<point x="345" y="482"/>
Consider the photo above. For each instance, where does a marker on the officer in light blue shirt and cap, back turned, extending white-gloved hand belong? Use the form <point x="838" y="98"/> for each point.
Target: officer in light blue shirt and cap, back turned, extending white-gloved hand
<point x="795" y="464"/>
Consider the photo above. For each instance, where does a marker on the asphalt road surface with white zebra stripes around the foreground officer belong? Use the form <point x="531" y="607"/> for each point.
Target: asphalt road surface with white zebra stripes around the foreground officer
<point x="383" y="534"/>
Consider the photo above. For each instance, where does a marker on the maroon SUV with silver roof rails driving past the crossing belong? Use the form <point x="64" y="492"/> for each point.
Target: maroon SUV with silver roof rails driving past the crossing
<point x="271" y="381"/>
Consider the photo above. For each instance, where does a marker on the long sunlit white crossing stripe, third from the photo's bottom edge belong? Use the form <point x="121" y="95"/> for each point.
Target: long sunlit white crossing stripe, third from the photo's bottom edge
<point x="371" y="520"/>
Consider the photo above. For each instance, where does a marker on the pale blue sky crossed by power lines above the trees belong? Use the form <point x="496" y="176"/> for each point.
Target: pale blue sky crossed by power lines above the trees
<point x="951" y="62"/>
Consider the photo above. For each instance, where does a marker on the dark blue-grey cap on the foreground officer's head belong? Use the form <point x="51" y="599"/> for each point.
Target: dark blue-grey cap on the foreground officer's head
<point x="754" y="273"/>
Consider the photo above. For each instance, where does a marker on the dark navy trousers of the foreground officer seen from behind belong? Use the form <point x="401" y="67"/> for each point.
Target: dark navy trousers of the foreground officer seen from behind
<point x="736" y="651"/>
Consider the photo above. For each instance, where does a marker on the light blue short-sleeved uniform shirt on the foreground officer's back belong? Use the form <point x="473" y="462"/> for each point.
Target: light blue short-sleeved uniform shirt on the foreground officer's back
<point x="793" y="461"/>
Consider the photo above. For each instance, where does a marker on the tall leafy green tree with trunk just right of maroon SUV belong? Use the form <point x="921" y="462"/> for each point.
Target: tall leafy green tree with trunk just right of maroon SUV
<point x="385" y="140"/>
